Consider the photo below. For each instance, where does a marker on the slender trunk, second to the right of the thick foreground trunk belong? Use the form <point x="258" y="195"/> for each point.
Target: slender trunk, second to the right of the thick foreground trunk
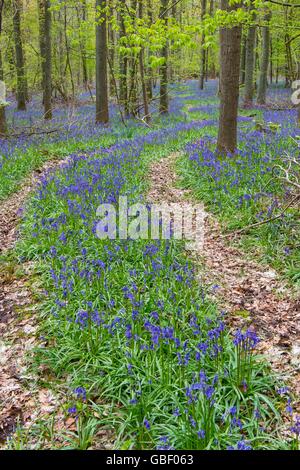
<point x="263" y="77"/>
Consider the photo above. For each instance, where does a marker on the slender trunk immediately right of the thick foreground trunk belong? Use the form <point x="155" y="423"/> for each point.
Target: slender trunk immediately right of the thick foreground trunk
<point x="249" y="65"/>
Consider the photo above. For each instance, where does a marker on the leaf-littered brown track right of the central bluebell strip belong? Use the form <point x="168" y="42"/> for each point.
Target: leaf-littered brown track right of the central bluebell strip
<point x="251" y="293"/>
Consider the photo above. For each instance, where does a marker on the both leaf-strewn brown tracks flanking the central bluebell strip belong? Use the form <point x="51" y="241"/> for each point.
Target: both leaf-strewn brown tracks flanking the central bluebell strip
<point x="249" y="293"/>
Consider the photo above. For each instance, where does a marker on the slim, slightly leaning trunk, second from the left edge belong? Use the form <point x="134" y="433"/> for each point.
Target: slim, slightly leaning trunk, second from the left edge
<point x="21" y="77"/>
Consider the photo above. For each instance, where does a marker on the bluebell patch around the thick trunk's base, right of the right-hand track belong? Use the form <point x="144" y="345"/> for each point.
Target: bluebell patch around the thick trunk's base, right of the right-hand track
<point x="242" y="188"/>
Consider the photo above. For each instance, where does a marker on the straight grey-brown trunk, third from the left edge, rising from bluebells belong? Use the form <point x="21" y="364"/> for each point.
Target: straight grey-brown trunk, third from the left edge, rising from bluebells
<point x="45" y="46"/>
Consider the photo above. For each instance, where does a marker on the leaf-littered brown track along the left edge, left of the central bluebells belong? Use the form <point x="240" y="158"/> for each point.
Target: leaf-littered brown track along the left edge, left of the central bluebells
<point x="20" y="398"/>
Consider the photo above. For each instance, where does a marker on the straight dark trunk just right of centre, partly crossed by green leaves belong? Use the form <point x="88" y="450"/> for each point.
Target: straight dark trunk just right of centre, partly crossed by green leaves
<point x="163" y="97"/>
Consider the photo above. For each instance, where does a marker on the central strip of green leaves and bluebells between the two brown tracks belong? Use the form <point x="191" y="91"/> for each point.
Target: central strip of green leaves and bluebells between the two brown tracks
<point x="137" y="385"/>
